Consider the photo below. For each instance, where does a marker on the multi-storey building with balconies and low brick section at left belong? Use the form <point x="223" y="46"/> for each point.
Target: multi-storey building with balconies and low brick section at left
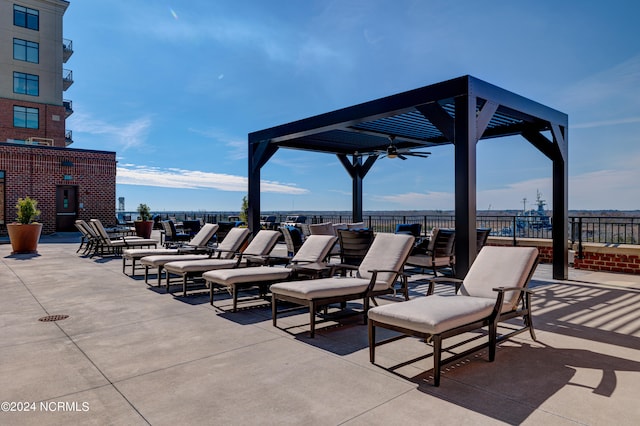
<point x="35" y="158"/>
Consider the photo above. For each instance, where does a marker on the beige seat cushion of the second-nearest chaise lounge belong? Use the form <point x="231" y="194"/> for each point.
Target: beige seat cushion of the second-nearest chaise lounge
<point x="323" y="287"/>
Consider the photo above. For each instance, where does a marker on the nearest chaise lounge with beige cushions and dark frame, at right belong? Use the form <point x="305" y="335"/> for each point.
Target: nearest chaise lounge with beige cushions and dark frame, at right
<point x="477" y="303"/>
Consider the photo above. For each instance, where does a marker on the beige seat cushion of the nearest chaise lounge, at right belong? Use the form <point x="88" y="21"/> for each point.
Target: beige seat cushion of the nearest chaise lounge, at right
<point x="434" y="314"/>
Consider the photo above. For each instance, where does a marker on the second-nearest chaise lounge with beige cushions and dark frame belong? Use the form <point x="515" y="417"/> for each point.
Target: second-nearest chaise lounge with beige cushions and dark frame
<point x="381" y="268"/>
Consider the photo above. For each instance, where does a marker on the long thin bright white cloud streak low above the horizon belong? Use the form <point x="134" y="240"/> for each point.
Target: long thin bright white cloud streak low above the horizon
<point x="191" y="179"/>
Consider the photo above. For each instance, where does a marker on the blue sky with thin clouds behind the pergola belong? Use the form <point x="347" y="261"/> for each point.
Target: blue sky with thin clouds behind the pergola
<point x="174" y="87"/>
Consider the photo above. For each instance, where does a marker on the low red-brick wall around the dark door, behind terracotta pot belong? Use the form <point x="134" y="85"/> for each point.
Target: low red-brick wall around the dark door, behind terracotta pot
<point x="37" y="171"/>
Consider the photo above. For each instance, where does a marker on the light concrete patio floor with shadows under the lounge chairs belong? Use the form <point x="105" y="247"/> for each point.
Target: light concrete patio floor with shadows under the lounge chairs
<point x="132" y="354"/>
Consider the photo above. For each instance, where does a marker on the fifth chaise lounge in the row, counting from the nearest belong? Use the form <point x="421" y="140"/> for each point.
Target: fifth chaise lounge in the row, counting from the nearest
<point x="225" y="250"/>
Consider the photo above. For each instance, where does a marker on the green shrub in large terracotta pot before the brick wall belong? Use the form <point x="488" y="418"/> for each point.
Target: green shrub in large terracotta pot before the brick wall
<point x="25" y="234"/>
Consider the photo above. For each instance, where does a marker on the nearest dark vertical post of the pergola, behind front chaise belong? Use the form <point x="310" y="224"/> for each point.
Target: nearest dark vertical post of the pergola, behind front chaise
<point x="465" y="182"/>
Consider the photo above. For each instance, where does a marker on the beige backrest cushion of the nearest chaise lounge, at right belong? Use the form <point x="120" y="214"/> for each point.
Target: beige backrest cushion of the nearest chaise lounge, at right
<point x="508" y="267"/>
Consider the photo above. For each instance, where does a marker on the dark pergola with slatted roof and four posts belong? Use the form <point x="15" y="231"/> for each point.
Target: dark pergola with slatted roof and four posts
<point x="460" y="111"/>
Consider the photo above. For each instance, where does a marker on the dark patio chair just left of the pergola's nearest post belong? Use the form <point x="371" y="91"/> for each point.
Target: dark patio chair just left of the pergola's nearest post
<point x="439" y="253"/>
